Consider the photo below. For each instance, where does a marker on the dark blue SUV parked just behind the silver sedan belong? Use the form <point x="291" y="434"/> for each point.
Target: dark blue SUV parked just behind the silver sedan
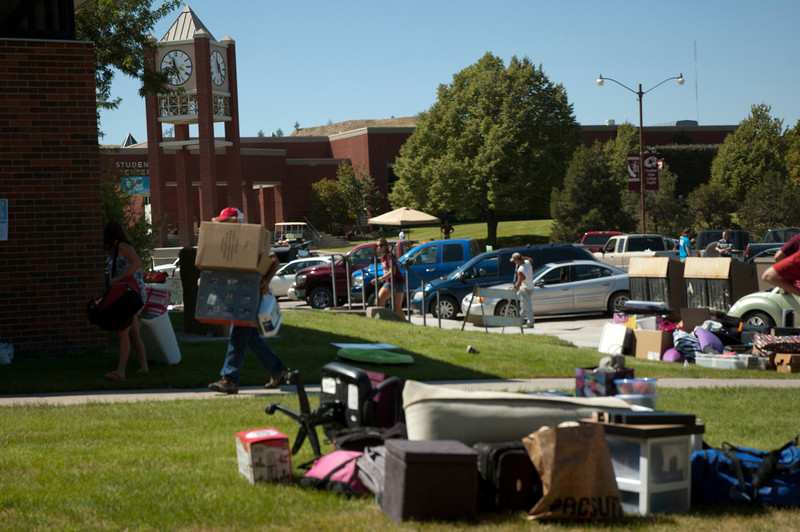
<point x="487" y="269"/>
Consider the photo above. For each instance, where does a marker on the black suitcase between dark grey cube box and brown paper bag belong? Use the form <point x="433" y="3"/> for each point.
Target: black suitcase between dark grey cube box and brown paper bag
<point x="509" y="480"/>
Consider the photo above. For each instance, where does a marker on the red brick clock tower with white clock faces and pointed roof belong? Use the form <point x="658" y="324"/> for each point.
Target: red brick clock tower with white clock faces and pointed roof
<point x="202" y="73"/>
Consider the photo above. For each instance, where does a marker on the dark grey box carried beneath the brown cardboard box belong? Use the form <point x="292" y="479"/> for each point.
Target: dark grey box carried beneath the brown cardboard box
<point x="228" y="298"/>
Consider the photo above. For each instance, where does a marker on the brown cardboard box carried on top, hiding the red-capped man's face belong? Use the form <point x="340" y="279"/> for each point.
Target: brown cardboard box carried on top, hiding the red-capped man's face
<point x="233" y="247"/>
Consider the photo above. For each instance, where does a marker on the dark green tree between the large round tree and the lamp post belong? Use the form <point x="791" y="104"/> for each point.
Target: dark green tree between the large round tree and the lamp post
<point x="590" y="199"/>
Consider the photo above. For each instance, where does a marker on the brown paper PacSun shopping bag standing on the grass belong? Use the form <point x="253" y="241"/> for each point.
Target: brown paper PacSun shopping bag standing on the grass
<point x="578" y="480"/>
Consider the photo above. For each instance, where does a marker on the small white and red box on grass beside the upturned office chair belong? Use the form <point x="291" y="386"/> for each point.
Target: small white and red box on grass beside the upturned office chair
<point x="264" y="455"/>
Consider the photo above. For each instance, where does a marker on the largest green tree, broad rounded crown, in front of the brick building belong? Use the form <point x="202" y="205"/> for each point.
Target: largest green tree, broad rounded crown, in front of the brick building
<point x="496" y="142"/>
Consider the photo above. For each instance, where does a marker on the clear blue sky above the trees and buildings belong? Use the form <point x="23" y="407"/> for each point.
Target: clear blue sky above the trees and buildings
<point x="320" y="61"/>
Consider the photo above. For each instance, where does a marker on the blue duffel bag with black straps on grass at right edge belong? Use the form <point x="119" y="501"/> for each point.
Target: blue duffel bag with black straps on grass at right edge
<point x="736" y="475"/>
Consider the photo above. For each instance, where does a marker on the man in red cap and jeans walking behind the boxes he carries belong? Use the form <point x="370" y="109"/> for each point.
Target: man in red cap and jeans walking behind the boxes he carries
<point x="243" y="337"/>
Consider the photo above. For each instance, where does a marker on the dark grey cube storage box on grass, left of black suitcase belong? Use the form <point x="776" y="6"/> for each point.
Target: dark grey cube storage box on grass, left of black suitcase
<point x="430" y="480"/>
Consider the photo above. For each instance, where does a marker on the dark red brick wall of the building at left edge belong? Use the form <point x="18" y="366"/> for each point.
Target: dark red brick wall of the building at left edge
<point x="52" y="262"/>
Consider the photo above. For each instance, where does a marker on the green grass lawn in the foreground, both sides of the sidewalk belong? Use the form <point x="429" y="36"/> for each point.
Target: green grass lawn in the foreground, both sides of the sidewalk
<point x="172" y="465"/>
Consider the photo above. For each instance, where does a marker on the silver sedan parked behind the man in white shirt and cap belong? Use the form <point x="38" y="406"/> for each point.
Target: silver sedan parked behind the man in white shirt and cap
<point x="565" y="287"/>
